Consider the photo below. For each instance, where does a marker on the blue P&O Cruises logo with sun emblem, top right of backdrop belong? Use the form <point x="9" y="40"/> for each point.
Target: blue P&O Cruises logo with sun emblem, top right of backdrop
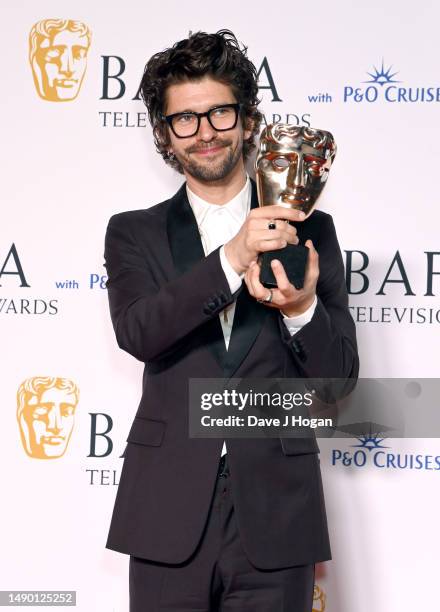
<point x="382" y="86"/>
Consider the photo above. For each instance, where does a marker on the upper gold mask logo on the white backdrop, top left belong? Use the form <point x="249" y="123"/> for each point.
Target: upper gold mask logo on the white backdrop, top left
<point x="58" y="51"/>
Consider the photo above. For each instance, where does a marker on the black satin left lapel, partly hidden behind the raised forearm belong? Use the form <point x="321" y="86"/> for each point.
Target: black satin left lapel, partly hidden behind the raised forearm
<point x="186" y="250"/>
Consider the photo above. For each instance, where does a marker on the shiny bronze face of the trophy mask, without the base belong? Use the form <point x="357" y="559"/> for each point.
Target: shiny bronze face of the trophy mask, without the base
<point x="292" y="173"/>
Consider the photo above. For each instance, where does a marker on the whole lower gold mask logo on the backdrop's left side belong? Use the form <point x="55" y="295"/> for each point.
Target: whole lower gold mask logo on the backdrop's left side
<point x="46" y="415"/>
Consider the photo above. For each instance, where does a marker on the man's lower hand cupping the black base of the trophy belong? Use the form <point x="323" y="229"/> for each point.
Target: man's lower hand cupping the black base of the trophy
<point x="286" y="297"/>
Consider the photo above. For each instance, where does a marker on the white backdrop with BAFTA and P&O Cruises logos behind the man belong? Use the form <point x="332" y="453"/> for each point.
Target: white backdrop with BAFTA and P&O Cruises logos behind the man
<point x="366" y="72"/>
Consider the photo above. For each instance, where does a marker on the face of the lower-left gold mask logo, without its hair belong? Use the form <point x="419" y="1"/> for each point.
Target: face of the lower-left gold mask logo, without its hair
<point x="50" y="420"/>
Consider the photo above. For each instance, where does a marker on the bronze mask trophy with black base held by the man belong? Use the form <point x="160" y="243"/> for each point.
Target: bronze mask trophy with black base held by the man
<point x="292" y="167"/>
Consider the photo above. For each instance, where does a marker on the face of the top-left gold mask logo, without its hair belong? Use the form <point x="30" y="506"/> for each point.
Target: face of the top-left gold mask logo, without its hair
<point x="62" y="61"/>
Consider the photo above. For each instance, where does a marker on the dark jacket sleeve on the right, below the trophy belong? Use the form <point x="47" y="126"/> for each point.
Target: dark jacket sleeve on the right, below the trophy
<point x="326" y="346"/>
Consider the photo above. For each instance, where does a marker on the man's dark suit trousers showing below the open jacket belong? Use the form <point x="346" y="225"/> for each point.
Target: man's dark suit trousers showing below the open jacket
<point x="218" y="576"/>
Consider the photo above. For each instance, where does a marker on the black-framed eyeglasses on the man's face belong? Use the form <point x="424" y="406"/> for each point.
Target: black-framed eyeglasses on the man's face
<point x="221" y="118"/>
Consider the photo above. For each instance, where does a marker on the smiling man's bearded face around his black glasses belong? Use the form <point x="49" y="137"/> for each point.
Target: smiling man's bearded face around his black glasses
<point x="208" y="155"/>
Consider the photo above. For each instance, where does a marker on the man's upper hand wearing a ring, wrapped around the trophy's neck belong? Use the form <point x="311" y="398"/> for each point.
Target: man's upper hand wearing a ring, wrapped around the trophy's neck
<point x="255" y="236"/>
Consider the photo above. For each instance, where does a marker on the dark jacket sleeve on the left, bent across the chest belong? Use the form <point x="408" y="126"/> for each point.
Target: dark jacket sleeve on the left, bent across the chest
<point x="150" y="319"/>
